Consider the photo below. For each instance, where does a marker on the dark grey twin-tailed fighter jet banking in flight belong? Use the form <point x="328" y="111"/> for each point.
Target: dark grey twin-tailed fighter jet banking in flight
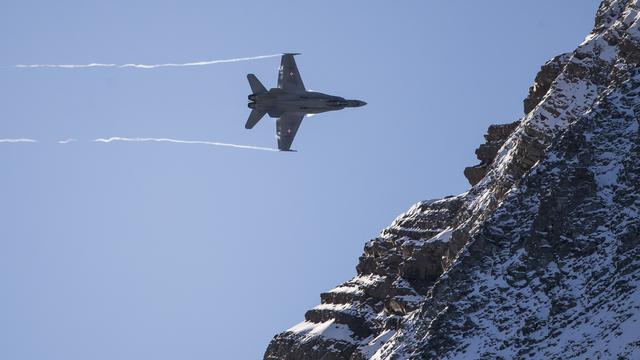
<point x="289" y="102"/>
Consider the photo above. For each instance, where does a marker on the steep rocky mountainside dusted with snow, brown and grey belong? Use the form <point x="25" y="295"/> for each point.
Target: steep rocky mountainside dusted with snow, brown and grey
<point x="540" y="258"/>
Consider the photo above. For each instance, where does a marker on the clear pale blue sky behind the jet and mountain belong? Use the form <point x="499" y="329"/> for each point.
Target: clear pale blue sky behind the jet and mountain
<point x="169" y="251"/>
